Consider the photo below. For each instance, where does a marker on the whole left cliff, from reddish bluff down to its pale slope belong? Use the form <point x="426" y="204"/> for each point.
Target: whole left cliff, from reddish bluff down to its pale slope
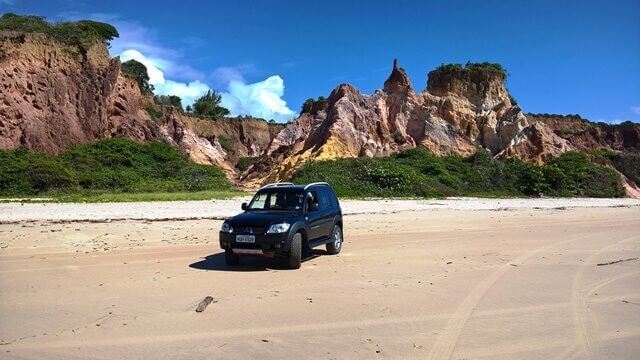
<point x="54" y="96"/>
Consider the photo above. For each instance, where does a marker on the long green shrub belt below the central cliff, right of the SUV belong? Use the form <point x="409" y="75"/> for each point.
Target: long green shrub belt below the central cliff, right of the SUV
<point x="418" y="173"/>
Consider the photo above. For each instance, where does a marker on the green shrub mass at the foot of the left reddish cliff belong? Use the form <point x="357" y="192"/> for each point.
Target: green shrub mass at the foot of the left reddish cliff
<point x="106" y="166"/>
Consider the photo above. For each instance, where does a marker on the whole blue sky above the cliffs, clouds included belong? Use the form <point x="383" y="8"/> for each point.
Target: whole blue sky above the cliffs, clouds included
<point x="267" y="57"/>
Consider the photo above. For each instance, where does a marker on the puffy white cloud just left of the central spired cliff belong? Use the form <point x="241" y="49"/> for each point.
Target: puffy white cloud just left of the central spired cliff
<point x="262" y="99"/>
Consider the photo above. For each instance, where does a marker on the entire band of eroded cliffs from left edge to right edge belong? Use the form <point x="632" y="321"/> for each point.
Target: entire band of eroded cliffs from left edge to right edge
<point x="54" y="96"/>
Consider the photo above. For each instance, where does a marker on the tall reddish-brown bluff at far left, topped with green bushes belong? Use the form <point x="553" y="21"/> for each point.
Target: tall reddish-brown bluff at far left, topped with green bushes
<point x="52" y="96"/>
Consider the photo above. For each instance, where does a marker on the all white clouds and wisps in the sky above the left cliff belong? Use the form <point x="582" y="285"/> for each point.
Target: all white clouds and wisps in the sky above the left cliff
<point x="170" y="75"/>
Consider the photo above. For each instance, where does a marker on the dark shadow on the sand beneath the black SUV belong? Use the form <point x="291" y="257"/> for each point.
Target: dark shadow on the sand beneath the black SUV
<point x="215" y="262"/>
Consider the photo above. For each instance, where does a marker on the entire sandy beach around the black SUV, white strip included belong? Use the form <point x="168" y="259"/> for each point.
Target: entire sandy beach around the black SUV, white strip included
<point x="439" y="279"/>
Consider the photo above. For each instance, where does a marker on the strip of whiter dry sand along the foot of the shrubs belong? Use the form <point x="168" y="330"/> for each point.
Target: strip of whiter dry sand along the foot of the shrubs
<point x="219" y="209"/>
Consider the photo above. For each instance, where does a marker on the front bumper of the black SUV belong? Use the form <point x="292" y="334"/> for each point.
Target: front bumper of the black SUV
<point x="267" y="244"/>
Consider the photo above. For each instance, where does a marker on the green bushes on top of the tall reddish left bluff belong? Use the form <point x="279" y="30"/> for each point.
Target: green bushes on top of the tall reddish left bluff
<point x="78" y="33"/>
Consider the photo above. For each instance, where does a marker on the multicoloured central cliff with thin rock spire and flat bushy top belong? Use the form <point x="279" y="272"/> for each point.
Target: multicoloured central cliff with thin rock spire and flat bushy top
<point x="457" y="113"/>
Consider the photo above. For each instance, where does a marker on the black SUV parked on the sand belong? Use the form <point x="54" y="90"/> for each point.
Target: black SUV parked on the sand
<point x="286" y="220"/>
